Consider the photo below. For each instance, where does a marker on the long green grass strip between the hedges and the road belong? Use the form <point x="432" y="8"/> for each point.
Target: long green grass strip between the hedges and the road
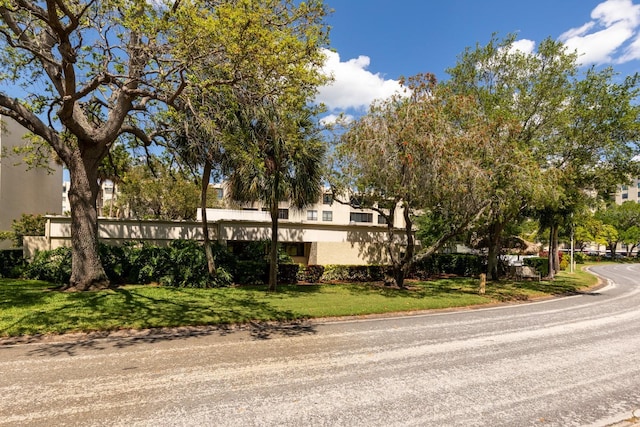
<point x="32" y="308"/>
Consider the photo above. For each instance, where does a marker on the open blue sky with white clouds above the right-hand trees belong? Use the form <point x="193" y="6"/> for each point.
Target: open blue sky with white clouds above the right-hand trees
<point x="374" y="42"/>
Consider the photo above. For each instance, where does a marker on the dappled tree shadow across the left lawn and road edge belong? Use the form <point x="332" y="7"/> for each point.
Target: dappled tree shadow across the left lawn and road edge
<point x="136" y="315"/>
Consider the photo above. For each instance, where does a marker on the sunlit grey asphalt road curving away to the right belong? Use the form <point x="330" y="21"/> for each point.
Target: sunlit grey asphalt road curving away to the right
<point x="573" y="361"/>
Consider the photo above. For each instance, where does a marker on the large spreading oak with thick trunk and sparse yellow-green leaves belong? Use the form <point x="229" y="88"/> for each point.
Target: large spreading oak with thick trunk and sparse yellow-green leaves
<point x="81" y="74"/>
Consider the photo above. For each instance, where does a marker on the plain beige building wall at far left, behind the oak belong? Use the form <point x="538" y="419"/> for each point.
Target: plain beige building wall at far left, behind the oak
<point x="35" y="191"/>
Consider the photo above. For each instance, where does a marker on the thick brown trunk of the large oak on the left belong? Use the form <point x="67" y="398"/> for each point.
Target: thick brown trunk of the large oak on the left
<point x="87" y="272"/>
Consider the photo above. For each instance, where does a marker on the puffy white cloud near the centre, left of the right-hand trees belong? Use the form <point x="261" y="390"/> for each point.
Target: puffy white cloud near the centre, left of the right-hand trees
<point x="354" y="87"/>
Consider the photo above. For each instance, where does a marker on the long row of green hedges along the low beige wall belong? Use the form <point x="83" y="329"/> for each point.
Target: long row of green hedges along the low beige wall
<point x="183" y="264"/>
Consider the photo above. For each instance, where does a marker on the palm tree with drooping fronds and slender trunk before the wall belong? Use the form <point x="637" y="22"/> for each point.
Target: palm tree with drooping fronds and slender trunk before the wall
<point x="279" y="158"/>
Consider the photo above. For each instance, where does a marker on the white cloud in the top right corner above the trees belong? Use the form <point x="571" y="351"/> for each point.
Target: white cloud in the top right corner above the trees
<point x="612" y="36"/>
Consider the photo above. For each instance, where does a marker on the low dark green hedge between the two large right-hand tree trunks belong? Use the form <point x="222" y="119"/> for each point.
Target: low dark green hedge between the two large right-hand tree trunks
<point x="466" y="265"/>
